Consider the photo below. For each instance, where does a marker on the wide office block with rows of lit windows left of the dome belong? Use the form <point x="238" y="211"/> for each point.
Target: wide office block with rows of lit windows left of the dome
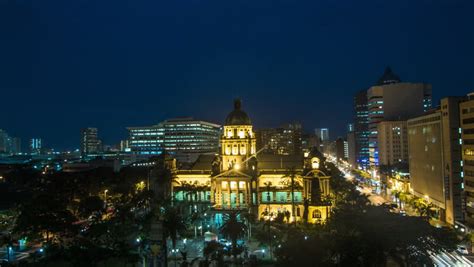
<point x="180" y="137"/>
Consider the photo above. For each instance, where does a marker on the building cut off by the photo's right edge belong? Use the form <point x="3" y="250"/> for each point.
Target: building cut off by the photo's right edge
<point x="467" y="130"/>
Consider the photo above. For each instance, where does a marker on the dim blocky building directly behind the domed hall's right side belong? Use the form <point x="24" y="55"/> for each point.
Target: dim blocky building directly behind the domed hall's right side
<point x="286" y="140"/>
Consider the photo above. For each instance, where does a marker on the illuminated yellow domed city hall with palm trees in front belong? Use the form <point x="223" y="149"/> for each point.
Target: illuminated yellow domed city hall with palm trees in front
<point x="238" y="178"/>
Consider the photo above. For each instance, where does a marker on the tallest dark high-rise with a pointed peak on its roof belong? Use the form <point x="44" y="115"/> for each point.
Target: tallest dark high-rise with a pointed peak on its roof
<point x="391" y="100"/>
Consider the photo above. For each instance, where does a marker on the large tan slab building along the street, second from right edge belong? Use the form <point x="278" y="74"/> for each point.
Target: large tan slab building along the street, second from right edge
<point x="435" y="159"/>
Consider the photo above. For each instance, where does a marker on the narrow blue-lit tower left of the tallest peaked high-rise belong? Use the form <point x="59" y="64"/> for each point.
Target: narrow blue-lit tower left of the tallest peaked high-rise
<point x="361" y="129"/>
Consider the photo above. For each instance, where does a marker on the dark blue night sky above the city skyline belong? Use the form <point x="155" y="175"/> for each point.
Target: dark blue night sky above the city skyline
<point x="111" y="64"/>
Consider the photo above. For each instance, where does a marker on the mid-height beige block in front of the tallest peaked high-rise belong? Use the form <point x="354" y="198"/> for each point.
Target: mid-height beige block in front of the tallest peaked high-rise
<point x="393" y="143"/>
